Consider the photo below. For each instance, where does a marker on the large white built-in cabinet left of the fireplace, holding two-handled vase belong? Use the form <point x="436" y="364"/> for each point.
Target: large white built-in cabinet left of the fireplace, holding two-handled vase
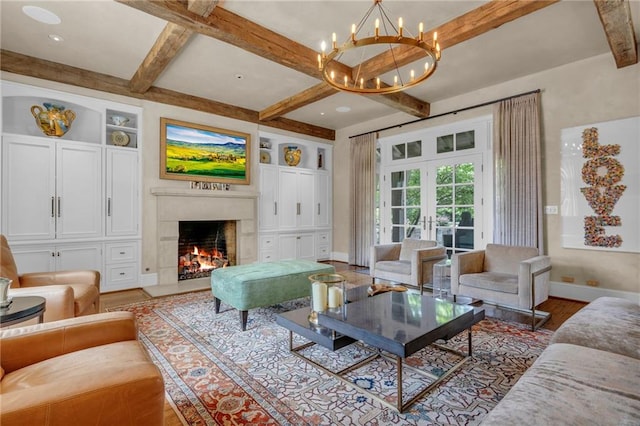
<point x="71" y="201"/>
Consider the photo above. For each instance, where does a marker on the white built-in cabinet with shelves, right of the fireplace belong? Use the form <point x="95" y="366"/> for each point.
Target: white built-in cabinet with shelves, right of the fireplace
<point x="295" y="199"/>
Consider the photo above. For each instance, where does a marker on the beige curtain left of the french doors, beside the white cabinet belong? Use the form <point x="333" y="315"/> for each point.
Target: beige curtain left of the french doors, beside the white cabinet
<point x="362" y="200"/>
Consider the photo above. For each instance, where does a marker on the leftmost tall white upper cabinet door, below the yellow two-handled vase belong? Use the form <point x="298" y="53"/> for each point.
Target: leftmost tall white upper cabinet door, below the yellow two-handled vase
<point x="28" y="188"/>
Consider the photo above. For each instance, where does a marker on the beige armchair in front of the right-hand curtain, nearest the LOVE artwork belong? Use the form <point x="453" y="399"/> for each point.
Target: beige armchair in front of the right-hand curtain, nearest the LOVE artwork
<point x="510" y="276"/>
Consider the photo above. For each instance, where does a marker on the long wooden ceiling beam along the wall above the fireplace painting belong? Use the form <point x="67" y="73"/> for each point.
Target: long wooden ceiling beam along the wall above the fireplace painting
<point x="39" y="68"/>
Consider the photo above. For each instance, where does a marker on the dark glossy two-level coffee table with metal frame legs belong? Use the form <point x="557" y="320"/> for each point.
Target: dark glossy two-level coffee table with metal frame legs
<point x="396" y="324"/>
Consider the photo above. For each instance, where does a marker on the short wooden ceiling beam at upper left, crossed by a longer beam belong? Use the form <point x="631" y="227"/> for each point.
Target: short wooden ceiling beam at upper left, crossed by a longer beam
<point x="170" y="41"/>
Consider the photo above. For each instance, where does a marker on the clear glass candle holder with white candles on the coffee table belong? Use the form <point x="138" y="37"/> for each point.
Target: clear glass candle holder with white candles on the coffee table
<point x="327" y="293"/>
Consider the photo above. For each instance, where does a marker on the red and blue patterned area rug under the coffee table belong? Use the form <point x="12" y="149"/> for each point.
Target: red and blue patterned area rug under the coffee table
<point x="217" y="375"/>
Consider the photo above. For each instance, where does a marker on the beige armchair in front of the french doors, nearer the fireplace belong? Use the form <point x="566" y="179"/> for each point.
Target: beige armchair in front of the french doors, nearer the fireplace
<point x="410" y="262"/>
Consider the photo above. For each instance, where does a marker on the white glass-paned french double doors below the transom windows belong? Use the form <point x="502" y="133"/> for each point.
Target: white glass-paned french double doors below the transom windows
<point x="435" y="200"/>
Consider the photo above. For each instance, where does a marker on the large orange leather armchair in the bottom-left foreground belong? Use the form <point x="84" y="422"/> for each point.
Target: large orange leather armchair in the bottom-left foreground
<point x="90" y="370"/>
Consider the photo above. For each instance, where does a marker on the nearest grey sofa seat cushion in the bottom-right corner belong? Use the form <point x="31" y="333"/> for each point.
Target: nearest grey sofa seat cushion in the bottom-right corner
<point x="573" y="385"/>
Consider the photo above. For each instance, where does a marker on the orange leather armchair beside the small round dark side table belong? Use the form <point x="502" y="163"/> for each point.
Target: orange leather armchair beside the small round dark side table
<point x="68" y="293"/>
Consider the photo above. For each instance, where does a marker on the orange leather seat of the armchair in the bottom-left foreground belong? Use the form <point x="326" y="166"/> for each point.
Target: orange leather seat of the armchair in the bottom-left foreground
<point x="109" y="384"/>
